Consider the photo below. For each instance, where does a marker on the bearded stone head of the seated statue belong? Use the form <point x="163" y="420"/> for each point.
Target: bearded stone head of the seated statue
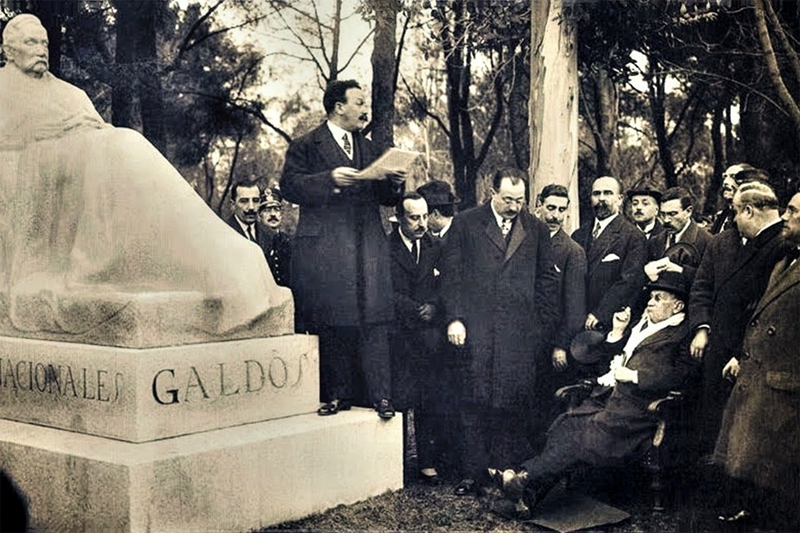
<point x="25" y="45"/>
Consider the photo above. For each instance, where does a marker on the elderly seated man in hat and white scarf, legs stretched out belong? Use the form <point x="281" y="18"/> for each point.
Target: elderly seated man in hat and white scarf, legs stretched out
<point x="614" y="423"/>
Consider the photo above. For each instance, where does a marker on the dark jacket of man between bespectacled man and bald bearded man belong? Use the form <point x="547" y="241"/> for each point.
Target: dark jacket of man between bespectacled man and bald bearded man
<point x="570" y="261"/>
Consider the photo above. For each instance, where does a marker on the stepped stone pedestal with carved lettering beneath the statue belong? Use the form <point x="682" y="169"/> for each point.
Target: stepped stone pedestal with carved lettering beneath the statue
<point x="205" y="437"/>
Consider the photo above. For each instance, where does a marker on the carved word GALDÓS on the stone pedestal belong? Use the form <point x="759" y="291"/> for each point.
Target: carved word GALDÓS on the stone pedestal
<point x="175" y="385"/>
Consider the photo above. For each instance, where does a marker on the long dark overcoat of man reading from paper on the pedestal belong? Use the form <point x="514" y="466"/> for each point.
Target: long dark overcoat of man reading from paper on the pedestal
<point x="340" y="258"/>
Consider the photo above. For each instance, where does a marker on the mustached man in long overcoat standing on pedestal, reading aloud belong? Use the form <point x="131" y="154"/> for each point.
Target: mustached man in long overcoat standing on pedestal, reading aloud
<point x="340" y="263"/>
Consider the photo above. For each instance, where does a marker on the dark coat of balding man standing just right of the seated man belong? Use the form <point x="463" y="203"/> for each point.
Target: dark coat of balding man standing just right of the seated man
<point x="728" y="284"/>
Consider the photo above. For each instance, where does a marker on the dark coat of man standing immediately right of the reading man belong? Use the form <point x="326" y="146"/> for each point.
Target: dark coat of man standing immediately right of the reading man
<point x="416" y="345"/>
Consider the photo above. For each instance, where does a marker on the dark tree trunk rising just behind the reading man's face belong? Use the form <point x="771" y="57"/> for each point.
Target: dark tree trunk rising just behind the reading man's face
<point x="383" y="74"/>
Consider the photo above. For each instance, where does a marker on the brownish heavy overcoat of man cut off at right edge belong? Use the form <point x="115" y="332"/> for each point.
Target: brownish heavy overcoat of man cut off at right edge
<point x="760" y="436"/>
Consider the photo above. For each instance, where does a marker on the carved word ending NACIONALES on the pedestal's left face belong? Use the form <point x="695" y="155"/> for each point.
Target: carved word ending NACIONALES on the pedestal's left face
<point x="83" y="383"/>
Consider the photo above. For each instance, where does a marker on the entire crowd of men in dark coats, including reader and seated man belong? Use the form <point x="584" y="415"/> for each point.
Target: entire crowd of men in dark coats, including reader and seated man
<point x="469" y="321"/>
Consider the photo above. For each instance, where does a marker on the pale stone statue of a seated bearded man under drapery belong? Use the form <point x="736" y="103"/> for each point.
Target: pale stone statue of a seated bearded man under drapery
<point x="101" y="239"/>
